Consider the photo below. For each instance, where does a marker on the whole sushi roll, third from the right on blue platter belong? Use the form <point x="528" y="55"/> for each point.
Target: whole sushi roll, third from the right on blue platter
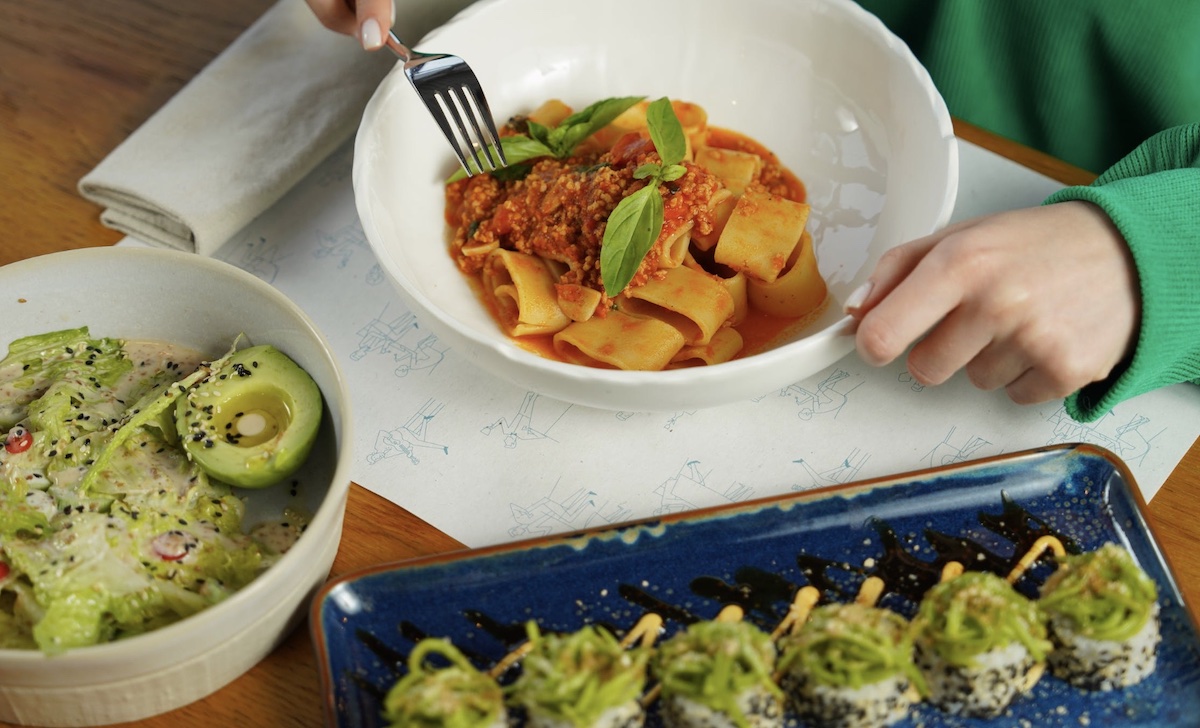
<point x="850" y="666"/>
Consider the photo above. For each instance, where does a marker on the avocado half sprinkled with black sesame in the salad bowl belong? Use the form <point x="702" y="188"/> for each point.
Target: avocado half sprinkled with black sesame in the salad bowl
<point x="254" y="422"/>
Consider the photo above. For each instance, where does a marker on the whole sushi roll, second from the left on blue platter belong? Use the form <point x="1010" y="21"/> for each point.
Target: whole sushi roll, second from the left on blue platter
<point x="580" y="681"/>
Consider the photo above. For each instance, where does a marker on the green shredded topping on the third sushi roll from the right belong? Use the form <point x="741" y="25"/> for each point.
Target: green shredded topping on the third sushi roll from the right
<point x="853" y="646"/>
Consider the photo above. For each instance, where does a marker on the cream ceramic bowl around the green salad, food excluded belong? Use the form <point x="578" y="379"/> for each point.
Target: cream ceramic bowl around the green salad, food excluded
<point x="202" y="304"/>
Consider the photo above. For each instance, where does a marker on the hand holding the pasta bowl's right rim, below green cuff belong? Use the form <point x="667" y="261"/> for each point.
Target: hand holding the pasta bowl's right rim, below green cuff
<point x="1040" y="302"/>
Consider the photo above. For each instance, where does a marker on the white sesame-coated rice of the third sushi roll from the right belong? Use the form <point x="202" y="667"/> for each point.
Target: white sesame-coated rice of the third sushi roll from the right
<point x="880" y="703"/>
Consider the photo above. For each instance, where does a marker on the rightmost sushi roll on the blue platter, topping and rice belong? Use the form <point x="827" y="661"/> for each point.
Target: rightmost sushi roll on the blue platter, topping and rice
<point x="1102" y="613"/>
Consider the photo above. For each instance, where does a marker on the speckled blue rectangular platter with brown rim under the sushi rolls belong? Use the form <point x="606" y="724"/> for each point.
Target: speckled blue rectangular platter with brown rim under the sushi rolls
<point x="986" y="515"/>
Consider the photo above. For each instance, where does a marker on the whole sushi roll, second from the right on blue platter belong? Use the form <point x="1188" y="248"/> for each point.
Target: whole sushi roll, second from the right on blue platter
<point x="980" y="645"/>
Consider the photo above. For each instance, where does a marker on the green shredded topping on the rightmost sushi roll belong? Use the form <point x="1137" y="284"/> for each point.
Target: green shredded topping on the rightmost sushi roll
<point x="1105" y="594"/>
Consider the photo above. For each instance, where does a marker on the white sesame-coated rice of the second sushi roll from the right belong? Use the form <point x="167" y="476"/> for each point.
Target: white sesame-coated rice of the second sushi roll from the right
<point x="982" y="690"/>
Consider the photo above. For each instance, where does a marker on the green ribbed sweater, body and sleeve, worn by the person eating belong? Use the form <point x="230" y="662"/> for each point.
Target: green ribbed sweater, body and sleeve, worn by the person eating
<point x="1105" y="85"/>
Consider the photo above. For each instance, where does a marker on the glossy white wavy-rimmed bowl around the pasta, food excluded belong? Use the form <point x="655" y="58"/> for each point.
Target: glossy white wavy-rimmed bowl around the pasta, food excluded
<point x="821" y="83"/>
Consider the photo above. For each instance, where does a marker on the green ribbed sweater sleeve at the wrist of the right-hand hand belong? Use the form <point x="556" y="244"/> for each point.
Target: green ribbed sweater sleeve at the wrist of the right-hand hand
<point x="1154" y="198"/>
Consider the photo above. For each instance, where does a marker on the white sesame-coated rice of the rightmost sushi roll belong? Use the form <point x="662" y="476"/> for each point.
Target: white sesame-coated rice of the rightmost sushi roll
<point x="1103" y="664"/>
